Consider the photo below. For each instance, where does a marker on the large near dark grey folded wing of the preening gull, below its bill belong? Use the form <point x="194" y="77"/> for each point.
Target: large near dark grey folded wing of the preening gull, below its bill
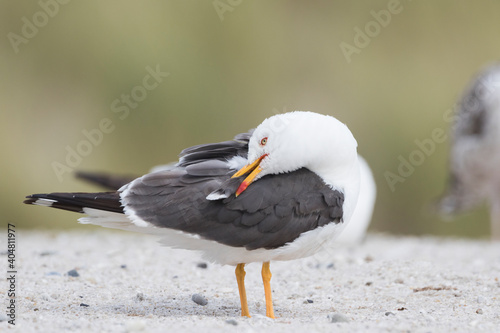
<point x="271" y="212"/>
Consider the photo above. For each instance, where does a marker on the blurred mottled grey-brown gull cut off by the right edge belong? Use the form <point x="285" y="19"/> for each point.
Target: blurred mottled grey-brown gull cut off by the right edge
<point x="475" y="150"/>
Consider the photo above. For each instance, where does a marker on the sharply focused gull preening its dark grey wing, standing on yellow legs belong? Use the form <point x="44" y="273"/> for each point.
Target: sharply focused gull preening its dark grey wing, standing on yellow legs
<point x="280" y="192"/>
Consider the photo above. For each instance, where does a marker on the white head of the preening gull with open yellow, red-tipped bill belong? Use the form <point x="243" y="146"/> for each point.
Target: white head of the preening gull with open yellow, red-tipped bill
<point x="287" y="142"/>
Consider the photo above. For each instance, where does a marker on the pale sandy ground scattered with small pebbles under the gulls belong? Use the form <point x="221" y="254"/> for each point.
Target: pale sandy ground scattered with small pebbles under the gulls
<point x="129" y="283"/>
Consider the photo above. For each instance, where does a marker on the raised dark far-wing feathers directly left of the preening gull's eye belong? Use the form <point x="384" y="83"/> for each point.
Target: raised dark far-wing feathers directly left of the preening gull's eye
<point x="222" y="151"/>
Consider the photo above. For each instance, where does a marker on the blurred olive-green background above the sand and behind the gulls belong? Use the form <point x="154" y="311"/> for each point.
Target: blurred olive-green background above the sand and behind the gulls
<point x="231" y="64"/>
